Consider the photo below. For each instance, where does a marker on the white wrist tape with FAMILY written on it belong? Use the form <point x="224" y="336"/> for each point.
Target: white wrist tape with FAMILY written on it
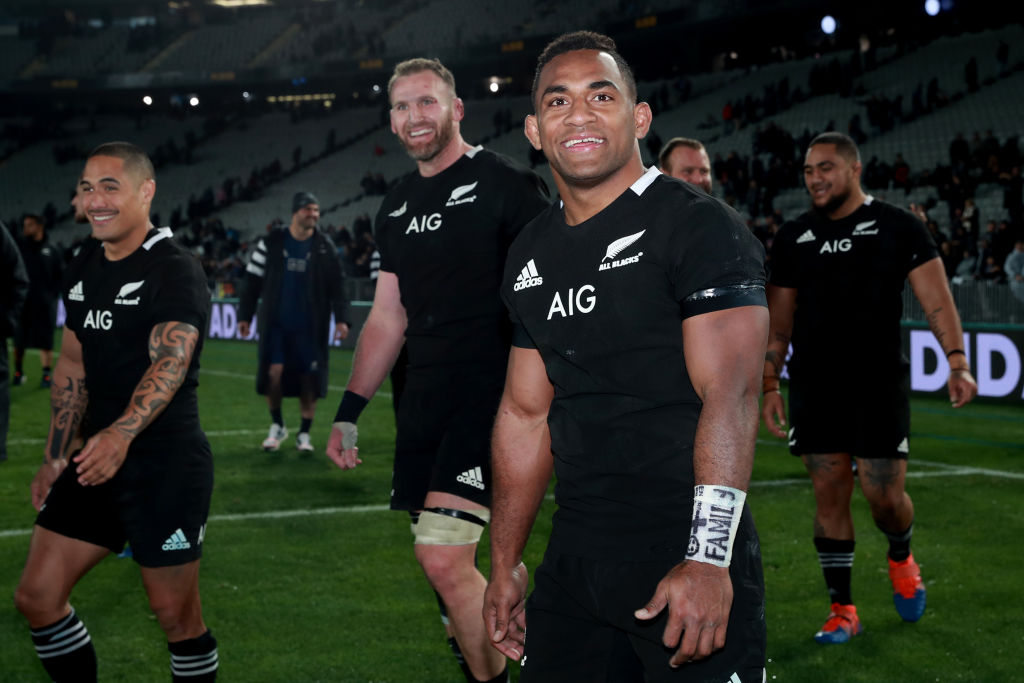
<point x="716" y="518"/>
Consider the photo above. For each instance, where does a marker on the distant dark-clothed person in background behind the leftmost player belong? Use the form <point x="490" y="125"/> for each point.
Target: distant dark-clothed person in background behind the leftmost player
<point x="46" y="267"/>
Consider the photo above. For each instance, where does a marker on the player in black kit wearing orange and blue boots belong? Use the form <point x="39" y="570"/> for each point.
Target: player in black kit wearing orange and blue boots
<point x="836" y="293"/>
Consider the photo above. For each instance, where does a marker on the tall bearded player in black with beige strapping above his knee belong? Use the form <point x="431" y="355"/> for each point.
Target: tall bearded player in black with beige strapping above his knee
<point x="443" y="234"/>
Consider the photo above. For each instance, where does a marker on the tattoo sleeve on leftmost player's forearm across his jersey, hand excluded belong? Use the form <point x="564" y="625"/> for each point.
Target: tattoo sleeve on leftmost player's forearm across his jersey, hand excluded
<point x="172" y="348"/>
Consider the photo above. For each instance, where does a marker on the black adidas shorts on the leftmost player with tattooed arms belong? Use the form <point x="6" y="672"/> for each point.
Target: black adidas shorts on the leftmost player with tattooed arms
<point x="158" y="502"/>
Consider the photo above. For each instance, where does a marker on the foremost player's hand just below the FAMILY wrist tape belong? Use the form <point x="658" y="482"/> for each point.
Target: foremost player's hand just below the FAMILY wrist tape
<point x="699" y="597"/>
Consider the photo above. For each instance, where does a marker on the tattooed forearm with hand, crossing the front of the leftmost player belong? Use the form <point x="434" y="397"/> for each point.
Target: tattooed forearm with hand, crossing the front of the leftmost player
<point x="172" y="348"/>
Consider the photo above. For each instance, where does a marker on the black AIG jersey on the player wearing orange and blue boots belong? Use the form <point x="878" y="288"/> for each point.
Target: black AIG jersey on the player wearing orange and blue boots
<point x="849" y="276"/>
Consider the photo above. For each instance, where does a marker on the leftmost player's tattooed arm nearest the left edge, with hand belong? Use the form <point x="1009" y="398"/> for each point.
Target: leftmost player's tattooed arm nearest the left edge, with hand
<point x="68" y="401"/>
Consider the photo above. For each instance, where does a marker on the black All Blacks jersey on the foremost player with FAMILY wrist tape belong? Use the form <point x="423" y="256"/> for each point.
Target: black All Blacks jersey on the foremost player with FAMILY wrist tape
<point x="604" y="304"/>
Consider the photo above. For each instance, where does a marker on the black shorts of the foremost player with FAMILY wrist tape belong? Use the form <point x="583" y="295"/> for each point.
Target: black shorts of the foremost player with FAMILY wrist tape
<point x="580" y="624"/>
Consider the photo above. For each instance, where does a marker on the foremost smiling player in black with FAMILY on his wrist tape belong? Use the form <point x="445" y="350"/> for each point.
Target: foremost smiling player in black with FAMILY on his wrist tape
<point x="633" y="375"/>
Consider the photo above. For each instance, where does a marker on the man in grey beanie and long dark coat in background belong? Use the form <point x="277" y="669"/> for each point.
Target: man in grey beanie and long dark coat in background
<point x="297" y="273"/>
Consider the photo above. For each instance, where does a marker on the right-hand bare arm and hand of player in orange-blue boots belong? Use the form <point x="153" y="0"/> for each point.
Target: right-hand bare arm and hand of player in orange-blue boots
<point x="930" y="286"/>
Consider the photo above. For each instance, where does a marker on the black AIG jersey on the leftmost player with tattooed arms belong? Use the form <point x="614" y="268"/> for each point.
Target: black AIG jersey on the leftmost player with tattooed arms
<point x="113" y="308"/>
